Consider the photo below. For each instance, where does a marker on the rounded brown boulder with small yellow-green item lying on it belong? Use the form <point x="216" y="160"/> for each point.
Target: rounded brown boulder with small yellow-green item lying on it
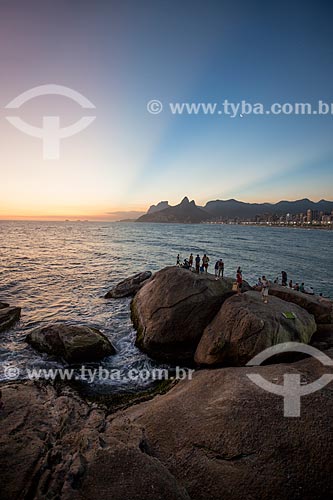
<point x="245" y="326"/>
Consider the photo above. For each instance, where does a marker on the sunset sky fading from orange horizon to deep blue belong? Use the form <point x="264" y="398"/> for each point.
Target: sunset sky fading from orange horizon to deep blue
<point x="122" y="54"/>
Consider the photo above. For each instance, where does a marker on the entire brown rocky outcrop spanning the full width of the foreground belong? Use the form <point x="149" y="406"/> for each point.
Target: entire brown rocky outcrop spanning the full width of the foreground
<point x="216" y="436"/>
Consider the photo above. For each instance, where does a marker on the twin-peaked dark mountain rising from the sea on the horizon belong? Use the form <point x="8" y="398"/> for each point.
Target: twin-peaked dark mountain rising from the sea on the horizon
<point x="185" y="212"/>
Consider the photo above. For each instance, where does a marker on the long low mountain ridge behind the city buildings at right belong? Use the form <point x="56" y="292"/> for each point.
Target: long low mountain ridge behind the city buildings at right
<point x="233" y="208"/>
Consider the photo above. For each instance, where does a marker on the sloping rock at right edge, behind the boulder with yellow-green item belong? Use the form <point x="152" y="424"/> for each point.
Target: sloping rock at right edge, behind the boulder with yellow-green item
<point x="321" y="309"/>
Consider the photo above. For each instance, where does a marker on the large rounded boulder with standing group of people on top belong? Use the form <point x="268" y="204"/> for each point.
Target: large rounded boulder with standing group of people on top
<point x="172" y="310"/>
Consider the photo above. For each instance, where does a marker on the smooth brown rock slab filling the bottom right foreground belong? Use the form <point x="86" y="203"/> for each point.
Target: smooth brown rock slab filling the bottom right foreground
<point x="221" y="436"/>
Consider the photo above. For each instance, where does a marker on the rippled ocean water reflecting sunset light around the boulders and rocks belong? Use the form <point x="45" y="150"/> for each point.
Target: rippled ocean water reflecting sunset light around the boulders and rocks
<point x="59" y="272"/>
